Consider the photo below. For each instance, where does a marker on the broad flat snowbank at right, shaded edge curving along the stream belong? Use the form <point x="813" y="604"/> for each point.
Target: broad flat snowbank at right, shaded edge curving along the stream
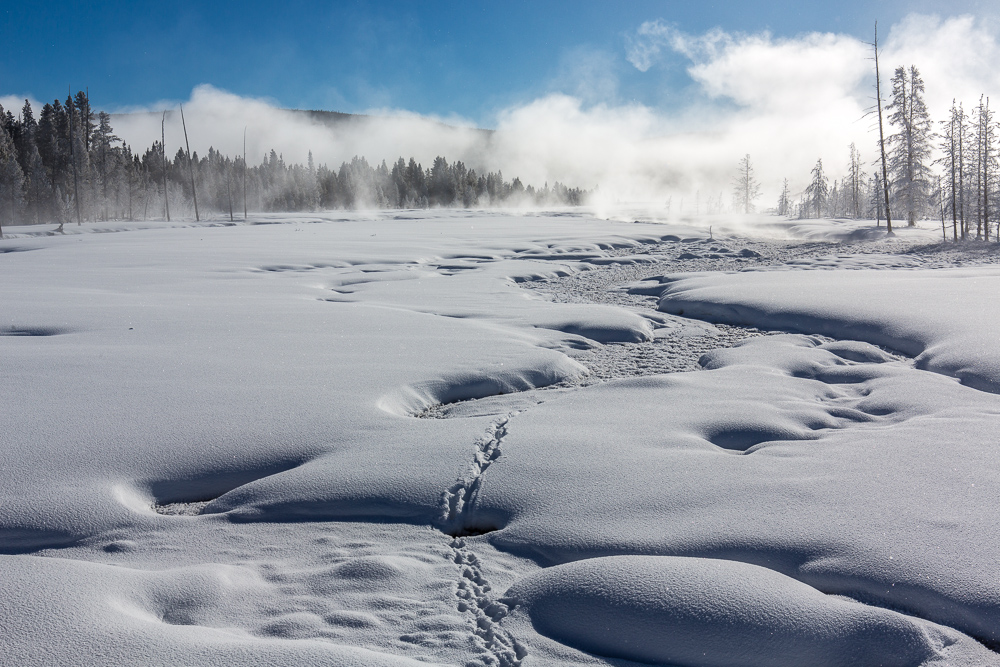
<point x="936" y="315"/>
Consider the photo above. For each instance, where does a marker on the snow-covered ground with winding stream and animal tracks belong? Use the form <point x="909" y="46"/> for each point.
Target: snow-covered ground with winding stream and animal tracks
<point x="498" y="438"/>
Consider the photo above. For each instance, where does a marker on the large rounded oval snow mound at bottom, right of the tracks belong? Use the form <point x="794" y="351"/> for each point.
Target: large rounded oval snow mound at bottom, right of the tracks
<point x="702" y="612"/>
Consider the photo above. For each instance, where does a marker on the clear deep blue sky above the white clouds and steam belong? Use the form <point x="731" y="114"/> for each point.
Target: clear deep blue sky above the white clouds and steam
<point x="463" y="59"/>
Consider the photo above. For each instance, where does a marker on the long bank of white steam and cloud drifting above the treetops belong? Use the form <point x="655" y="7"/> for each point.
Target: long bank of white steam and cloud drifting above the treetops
<point x="785" y="101"/>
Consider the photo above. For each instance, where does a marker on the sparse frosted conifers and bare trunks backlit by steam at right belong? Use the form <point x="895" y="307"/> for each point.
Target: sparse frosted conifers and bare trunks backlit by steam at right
<point x="960" y="187"/>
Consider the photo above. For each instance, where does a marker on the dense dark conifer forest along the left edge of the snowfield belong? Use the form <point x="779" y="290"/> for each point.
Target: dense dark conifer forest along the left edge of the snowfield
<point x="67" y="164"/>
